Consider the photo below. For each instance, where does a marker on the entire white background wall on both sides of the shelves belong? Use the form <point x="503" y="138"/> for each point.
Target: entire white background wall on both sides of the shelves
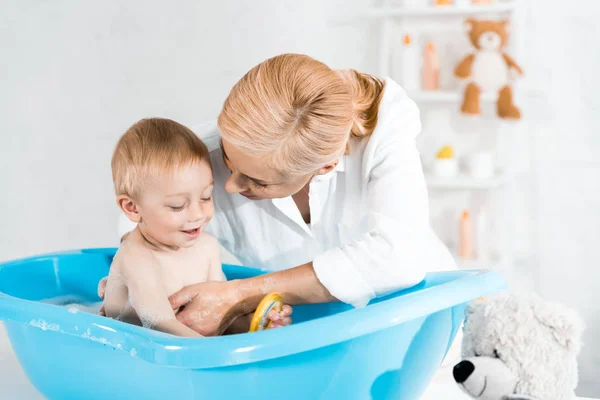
<point x="76" y="74"/>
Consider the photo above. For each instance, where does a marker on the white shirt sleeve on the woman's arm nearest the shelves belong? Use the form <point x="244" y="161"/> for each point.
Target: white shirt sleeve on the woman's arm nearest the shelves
<point x="392" y="253"/>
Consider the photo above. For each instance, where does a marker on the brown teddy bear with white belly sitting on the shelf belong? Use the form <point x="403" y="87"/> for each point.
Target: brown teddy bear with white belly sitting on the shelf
<point x="488" y="69"/>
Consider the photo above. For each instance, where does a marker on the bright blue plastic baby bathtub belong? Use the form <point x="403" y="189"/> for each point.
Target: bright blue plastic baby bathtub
<point x="387" y="350"/>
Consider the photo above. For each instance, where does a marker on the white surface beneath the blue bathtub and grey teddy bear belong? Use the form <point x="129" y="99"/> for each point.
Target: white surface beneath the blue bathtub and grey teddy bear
<point x="15" y="386"/>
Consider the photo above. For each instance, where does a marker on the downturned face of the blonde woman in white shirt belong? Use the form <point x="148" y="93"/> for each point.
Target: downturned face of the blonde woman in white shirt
<point x="252" y="179"/>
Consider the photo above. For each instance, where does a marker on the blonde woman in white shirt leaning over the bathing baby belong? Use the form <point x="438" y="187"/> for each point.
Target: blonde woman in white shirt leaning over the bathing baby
<point x="318" y="179"/>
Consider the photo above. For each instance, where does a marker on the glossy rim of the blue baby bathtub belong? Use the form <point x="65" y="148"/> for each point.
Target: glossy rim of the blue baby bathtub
<point x="214" y="352"/>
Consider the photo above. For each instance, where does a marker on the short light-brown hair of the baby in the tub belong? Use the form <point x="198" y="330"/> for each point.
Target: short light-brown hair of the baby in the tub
<point x="153" y="146"/>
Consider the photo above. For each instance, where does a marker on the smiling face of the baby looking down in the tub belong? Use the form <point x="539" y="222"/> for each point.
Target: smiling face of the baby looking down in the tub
<point x="175" y="207"/>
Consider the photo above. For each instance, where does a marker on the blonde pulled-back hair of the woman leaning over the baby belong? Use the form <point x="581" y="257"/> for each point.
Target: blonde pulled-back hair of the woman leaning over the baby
<point x="299" y="113"/>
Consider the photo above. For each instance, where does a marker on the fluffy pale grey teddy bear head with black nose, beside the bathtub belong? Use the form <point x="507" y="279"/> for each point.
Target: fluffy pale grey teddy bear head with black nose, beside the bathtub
<point x="519" y="346"/>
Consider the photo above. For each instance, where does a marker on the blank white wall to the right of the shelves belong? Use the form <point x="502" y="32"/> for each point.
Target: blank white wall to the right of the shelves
<point x="565" y="60"/>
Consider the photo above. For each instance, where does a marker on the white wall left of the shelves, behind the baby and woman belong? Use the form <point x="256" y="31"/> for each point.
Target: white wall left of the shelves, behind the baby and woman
<point x="76" y="74"/>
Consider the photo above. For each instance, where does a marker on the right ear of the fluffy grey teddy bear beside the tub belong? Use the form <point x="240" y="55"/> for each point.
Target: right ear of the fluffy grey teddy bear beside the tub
<point x="566" y="325"/>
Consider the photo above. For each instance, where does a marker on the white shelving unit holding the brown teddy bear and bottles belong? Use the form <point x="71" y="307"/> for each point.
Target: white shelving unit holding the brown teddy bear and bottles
<point x="394" y="20"/>
